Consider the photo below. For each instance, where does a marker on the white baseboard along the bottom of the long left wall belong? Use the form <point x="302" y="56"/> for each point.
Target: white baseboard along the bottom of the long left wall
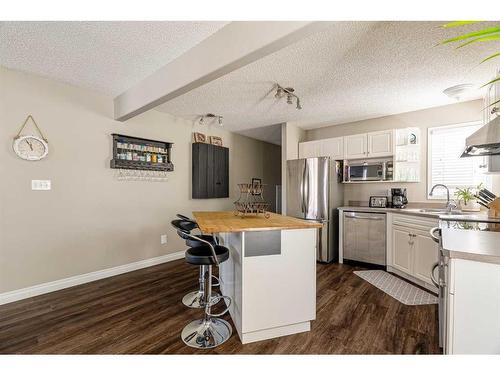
<point x="52" y="286"/>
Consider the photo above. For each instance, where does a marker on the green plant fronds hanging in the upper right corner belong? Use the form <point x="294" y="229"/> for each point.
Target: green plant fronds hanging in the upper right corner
<point x="489" y="34"/>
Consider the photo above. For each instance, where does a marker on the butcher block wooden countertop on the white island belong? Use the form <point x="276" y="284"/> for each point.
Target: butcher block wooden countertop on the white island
<point x="226" y="221"/>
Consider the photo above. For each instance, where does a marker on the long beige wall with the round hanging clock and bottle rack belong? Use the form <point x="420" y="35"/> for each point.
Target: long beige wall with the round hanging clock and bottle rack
<point x="89" y="220"/>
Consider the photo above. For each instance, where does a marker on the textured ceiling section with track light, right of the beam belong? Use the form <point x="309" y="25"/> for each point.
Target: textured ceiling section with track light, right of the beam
<point x="351" y="71"/>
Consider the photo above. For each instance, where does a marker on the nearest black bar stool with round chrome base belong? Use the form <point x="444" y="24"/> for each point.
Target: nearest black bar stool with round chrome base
<point x="211" y="331"/>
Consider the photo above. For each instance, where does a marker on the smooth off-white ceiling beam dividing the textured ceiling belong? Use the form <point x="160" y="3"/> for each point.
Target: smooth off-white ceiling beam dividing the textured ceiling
<point x="232" y="47"/>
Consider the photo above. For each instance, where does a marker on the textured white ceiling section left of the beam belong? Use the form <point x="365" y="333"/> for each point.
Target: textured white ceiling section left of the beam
<point x="109" y="57"/>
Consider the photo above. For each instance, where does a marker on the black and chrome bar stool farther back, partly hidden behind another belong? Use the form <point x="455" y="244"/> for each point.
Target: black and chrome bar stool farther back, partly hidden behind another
<point x="195" y="299"/>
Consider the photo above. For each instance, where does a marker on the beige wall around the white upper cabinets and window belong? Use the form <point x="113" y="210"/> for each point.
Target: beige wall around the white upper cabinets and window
<point x="423" y="119"/>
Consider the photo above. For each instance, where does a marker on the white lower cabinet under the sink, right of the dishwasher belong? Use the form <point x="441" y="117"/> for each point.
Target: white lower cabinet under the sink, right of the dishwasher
<point x="413" y="250"/>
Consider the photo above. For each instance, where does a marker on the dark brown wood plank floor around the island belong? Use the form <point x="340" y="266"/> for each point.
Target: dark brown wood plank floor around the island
<point x="141" y="312"/>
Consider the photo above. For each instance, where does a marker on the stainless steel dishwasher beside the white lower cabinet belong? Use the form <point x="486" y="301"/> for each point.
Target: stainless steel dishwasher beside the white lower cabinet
<point x="364" y="237"/>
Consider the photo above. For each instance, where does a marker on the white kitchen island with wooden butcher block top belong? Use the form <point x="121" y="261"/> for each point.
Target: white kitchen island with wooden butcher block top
<point x="270" y="275"/>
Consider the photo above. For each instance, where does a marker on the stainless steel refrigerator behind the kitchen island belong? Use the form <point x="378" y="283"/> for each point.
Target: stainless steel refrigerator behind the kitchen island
<point x="314" y="192"/>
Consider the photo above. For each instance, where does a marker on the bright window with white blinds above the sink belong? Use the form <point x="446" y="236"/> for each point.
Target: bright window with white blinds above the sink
<point x="445" y="145"/>
